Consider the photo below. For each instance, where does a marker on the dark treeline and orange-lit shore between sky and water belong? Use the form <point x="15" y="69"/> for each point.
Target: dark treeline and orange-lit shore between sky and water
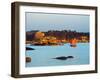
<point x="55" y="37"/>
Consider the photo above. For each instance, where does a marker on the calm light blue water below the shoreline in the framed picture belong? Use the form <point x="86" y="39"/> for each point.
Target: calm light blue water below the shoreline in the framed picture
<point x="43" y="55"/>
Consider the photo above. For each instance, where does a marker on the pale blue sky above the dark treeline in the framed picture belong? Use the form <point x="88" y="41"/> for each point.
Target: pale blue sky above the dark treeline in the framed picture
<point x="48" y="21"/>
